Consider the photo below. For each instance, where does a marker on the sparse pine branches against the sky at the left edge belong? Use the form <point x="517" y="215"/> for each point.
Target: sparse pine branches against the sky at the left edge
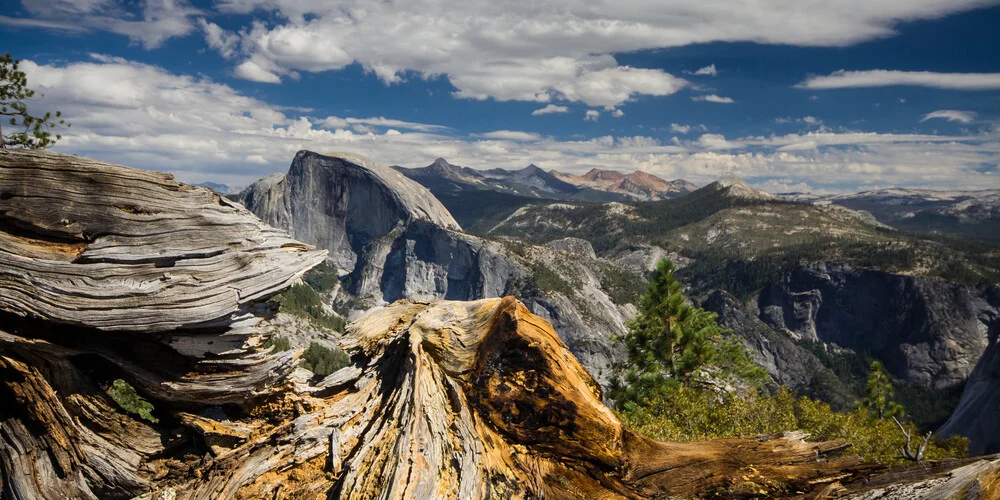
<point x="14" y="96"/>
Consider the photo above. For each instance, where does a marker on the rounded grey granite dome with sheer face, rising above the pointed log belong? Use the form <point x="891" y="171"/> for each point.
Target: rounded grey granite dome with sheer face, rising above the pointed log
<point x="343" y="203"/>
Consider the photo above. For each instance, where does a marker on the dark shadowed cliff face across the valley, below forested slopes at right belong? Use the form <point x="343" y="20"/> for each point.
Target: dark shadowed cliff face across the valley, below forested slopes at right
<point x="926" y="331"/>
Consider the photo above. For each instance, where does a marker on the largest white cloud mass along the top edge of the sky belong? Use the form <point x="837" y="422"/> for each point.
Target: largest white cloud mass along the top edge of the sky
<point x="543" y="51"/>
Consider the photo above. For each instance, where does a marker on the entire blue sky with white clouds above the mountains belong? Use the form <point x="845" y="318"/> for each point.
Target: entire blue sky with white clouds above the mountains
<point x="791" y="95"/>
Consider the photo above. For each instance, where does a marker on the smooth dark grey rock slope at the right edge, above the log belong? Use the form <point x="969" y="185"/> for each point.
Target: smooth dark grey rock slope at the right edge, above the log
<point x="975" y="416"/>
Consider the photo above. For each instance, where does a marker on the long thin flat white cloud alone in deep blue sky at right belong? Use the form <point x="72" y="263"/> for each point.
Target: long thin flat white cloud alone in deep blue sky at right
<point x="885" y="78"/>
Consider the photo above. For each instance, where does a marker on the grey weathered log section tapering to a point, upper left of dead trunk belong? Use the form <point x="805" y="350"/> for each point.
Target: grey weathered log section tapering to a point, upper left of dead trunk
<point x="83" y="241"/>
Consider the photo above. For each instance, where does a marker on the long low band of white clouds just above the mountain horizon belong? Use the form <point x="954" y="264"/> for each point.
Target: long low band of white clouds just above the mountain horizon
<point x="144" y="116"/>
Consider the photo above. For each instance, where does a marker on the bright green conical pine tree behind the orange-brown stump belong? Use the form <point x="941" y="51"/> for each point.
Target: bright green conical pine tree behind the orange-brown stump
<point x="672" y="344"/>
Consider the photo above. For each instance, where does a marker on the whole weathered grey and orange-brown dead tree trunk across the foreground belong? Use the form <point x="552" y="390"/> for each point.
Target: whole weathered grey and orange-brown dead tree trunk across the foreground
<point x="443" y="400"/>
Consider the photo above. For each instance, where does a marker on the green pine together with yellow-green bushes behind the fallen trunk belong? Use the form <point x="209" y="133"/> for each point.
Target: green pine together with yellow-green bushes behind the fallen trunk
<point x="668" y="388"/>
